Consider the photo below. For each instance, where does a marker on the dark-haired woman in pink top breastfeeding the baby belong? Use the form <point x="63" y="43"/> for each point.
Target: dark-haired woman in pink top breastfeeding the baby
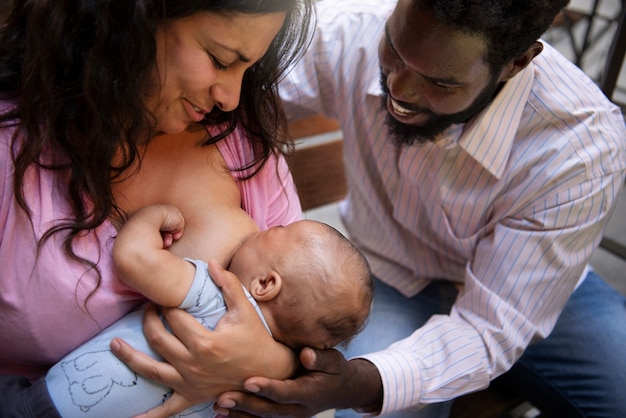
<point x="107" y="85"/>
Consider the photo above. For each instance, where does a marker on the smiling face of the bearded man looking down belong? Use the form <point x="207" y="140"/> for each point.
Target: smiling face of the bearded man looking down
<point x="432" y="76"/>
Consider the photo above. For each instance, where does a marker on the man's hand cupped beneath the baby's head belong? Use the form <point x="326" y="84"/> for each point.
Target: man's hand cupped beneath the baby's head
<point x="330" y="381"/>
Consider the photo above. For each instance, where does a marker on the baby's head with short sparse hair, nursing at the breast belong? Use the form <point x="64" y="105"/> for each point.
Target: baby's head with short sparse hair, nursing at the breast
<point x="313" y="285"/>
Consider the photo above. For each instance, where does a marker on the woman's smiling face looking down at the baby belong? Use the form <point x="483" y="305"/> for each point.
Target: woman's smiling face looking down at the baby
<point x="201" y="60"/>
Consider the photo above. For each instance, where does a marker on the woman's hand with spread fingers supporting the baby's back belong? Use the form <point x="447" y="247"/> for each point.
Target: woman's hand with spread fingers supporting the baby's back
<point x="202" y="363"/>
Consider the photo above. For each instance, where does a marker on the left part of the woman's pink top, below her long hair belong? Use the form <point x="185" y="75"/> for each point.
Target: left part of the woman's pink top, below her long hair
<point x="47" y="293"/>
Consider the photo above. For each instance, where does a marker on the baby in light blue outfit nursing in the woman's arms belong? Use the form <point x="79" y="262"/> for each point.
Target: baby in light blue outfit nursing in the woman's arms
<point x="308" y="283"/>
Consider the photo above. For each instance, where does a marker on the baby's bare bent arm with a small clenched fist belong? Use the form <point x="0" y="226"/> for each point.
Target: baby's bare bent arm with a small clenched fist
<point x="142" y="260"/>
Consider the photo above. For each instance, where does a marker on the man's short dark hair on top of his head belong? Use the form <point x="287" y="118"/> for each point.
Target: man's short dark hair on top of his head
<point x="509" y="26"/>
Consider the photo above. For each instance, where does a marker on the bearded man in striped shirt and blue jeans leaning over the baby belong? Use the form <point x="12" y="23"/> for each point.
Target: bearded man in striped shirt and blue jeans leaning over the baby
<point x="476" y="156"/>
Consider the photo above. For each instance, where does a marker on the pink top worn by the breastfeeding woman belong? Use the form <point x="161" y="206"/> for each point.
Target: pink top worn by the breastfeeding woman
<point x="42" y="308"/>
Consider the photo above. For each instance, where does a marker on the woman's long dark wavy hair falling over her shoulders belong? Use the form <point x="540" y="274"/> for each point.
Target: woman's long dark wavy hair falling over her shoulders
<point x="78" y="72"/>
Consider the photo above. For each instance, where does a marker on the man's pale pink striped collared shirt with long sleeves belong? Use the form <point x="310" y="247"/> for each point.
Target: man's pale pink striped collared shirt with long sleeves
<point x="511" y="204"/>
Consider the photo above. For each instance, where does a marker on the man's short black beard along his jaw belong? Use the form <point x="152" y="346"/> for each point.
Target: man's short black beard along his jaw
<point x="403" y="134"/>
